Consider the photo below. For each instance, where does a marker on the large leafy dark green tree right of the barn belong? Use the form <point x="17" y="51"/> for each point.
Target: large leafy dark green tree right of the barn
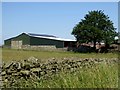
<point x="95" y="27"/>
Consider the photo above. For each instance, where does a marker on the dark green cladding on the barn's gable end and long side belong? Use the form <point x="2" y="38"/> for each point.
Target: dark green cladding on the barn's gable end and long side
<point x="29" y="40"/>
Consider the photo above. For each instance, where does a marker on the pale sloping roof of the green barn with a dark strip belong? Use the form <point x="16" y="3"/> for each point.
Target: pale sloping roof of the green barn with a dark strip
<point x="48" y="37"/>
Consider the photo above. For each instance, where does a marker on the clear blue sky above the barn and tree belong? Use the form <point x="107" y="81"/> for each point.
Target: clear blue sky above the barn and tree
<point x="49" y="17"/>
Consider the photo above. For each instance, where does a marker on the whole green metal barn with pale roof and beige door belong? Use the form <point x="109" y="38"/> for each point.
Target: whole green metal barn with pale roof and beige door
<point x="37" y="40"/>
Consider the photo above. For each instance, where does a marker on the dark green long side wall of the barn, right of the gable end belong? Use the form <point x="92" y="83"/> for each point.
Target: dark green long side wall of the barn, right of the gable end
<point x="41" y="41"/>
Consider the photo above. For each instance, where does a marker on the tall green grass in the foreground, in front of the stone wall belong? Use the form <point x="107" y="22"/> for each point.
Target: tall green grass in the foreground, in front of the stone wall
<point x="100" y="76"/>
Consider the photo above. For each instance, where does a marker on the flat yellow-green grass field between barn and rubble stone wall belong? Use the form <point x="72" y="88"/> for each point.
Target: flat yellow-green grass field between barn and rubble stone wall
<point x="8" y="55"/>
